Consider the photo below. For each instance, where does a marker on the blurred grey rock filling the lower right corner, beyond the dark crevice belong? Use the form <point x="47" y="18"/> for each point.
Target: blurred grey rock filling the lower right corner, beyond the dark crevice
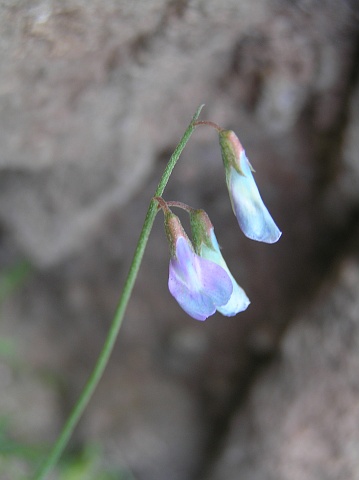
<point x="301" y="420"/>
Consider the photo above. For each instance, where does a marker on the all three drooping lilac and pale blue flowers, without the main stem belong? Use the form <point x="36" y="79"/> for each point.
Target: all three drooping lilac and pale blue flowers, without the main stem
<point x="199" y="278"/>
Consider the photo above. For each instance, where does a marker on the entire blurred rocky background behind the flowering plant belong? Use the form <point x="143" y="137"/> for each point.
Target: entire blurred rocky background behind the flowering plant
<point x="94" y="96"/>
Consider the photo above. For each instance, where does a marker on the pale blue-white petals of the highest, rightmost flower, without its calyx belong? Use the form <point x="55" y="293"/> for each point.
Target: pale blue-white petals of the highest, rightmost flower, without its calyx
<point x="252" y="215"/>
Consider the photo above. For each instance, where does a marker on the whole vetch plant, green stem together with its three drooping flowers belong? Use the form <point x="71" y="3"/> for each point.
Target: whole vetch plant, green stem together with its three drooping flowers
<point x="199" y="278"/>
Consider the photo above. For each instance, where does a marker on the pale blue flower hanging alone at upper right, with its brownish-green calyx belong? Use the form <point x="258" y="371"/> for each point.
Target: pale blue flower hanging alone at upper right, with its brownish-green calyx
<point x="253" y="217"/>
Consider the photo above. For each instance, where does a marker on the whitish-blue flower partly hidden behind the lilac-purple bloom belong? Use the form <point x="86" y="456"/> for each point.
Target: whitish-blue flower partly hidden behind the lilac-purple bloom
<point x="206" y="246"/>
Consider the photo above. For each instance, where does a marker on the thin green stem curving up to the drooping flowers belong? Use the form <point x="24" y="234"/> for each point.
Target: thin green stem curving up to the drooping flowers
<point x="104" y="356"/>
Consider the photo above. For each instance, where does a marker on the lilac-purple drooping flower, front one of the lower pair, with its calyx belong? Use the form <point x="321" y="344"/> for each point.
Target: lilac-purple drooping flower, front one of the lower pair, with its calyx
<point x="200" y="286"/>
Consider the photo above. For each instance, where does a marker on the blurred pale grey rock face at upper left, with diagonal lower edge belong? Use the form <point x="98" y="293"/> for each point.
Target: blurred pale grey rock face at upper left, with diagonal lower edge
<point x="88" y="89"/>
